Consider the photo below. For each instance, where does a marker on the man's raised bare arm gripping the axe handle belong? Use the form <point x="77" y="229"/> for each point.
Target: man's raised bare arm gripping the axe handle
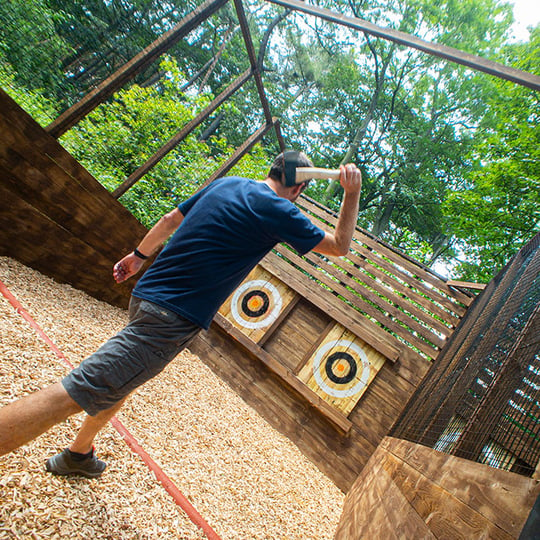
<point x="338" y="243"/>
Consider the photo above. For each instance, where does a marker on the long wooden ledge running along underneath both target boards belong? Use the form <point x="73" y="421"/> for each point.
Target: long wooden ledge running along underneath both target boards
<point x="287" y="375"/>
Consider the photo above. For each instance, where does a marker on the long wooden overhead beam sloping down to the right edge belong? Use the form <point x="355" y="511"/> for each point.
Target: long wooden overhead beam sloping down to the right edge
<point x="442" y="51"/>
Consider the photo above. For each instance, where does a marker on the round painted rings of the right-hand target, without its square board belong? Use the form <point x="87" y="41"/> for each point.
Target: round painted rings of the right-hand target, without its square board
<point x="343" y="363"/>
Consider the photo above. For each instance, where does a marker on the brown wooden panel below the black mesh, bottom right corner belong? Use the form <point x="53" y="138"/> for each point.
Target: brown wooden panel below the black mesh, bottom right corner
<point x="410" y="491"/>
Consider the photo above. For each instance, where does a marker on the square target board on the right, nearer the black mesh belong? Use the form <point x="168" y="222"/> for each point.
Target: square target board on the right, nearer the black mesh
<point x="341" y="368"/>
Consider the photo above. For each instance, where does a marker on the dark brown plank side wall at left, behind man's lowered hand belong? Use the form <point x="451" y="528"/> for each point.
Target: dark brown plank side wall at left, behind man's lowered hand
<point x="55" y="217"/>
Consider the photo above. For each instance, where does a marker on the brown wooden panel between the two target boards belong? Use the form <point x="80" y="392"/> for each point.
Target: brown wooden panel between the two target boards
<point x="296" y="336"/>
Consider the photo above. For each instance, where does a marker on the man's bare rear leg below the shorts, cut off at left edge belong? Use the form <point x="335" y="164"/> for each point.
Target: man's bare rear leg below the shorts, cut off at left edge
<point x="27" y="418"/>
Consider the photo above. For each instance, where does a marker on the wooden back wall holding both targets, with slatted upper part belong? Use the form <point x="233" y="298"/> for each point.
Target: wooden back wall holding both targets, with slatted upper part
<point x="393" y="314"/>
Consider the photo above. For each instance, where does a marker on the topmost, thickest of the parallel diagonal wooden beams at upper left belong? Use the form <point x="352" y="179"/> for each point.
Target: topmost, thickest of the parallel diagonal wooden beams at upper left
<point x="78" y="111"/>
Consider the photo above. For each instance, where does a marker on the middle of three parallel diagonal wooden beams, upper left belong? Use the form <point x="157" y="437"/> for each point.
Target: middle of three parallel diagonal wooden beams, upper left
<point x="182" y="134"/>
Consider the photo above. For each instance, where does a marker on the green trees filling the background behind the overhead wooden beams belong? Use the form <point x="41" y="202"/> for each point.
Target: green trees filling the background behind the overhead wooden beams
<point x="449" y="158"/>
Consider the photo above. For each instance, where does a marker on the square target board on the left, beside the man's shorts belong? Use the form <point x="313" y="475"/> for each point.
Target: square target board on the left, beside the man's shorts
<point x="257" y="303"/>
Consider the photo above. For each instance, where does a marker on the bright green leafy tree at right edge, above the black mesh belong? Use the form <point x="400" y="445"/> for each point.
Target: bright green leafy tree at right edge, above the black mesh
<point x="500" y="210"/>
